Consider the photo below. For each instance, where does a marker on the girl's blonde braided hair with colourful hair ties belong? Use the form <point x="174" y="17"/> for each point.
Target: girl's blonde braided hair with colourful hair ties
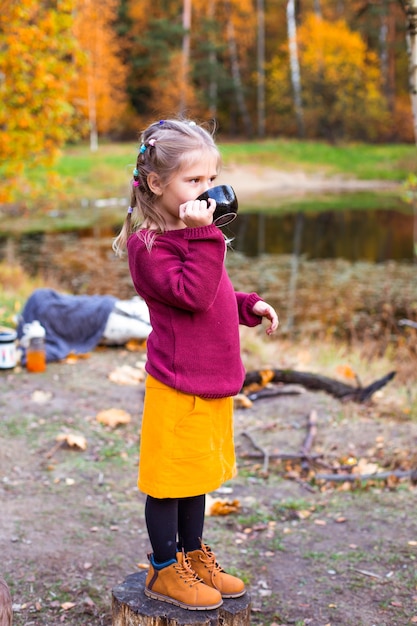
<point x="166" y="148"/>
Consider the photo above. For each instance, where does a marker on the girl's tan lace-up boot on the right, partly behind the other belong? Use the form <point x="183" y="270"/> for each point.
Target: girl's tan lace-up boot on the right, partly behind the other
<point x="206" y="567"/>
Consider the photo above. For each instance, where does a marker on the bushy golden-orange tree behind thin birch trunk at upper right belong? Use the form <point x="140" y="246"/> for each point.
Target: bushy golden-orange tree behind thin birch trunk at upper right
<point x="342" y="88"/>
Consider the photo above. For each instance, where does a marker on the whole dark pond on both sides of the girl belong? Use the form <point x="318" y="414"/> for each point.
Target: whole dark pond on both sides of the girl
<point x="374" y="236"/>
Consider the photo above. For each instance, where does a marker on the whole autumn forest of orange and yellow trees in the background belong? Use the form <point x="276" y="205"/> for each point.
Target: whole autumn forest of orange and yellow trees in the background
<point x="73" y="70"/>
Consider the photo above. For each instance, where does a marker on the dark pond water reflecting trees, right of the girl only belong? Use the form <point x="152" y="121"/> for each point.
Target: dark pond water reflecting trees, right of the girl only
<point x="373" y="236"/>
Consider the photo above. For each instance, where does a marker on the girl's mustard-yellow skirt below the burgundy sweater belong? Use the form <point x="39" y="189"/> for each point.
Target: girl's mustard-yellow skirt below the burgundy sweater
<point x="186" y="444"/>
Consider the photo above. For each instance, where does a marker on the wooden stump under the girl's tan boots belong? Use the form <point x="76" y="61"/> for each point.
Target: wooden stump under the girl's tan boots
<point x="130" y="607"/>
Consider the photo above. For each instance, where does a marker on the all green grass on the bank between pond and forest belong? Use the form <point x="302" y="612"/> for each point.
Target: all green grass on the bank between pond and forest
<point x="83" y="176"/>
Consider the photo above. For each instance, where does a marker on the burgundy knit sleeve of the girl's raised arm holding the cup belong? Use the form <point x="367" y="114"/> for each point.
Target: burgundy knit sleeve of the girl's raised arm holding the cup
<point x="184" y="273"/>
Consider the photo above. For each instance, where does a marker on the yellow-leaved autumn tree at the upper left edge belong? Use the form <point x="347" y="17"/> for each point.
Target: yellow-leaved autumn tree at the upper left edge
<point x="36" y="47"/>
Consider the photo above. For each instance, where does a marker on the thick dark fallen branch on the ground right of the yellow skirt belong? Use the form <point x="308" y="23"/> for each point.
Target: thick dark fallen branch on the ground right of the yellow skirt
<point x="316" y="382"/>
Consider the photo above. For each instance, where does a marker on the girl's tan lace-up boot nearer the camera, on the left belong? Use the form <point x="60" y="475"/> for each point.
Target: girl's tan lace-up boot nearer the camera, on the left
<point x="178" y="584"/>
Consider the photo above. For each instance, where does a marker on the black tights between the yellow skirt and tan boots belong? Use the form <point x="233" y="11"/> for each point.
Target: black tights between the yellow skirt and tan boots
<point x="174" y="524"/>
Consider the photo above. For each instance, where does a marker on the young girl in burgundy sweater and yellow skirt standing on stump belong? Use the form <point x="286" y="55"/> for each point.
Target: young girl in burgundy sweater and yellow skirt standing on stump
<point x="176" y="259"/>
